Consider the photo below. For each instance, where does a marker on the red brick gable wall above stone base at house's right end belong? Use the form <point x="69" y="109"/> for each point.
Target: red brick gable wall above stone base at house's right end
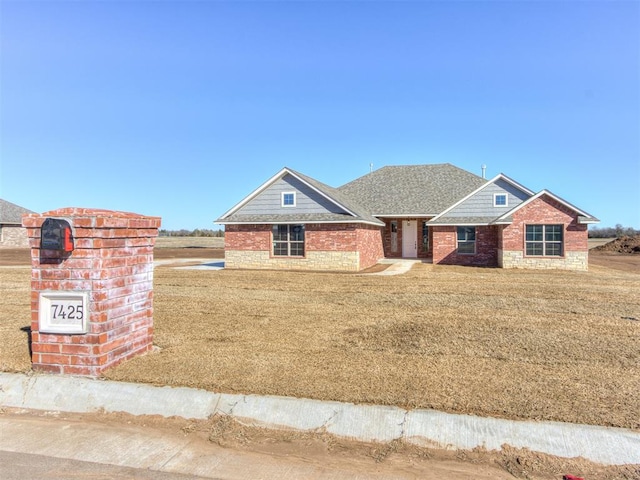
<point x="545" y="210"/>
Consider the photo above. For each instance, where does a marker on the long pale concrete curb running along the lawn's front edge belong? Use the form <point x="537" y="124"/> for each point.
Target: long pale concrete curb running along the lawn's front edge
<point x="611" y="446"/>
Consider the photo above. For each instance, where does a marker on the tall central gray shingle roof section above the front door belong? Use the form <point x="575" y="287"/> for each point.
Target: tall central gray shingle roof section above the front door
<point x="411" y="189"/>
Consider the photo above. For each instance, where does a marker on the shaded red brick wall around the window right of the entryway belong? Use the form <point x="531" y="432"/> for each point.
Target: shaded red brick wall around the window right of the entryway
<point x="445" y="247"/>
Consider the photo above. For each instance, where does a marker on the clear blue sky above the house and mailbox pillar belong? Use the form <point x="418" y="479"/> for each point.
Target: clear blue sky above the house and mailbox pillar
<point x="181" y="109"/>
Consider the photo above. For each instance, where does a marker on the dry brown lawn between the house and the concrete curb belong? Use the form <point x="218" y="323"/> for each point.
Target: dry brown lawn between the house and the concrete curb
<point x="546" y="345"/>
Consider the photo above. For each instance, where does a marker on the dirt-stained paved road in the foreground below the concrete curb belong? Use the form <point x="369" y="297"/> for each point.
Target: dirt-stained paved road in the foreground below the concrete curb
<point x="51" y="447"/>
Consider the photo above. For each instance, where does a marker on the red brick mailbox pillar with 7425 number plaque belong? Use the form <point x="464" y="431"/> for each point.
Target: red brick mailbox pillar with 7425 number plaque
<point x="92" y="297"/>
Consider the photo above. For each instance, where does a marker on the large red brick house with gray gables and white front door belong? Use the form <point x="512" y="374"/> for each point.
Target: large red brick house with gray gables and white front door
<point x="437" y="212"/>
